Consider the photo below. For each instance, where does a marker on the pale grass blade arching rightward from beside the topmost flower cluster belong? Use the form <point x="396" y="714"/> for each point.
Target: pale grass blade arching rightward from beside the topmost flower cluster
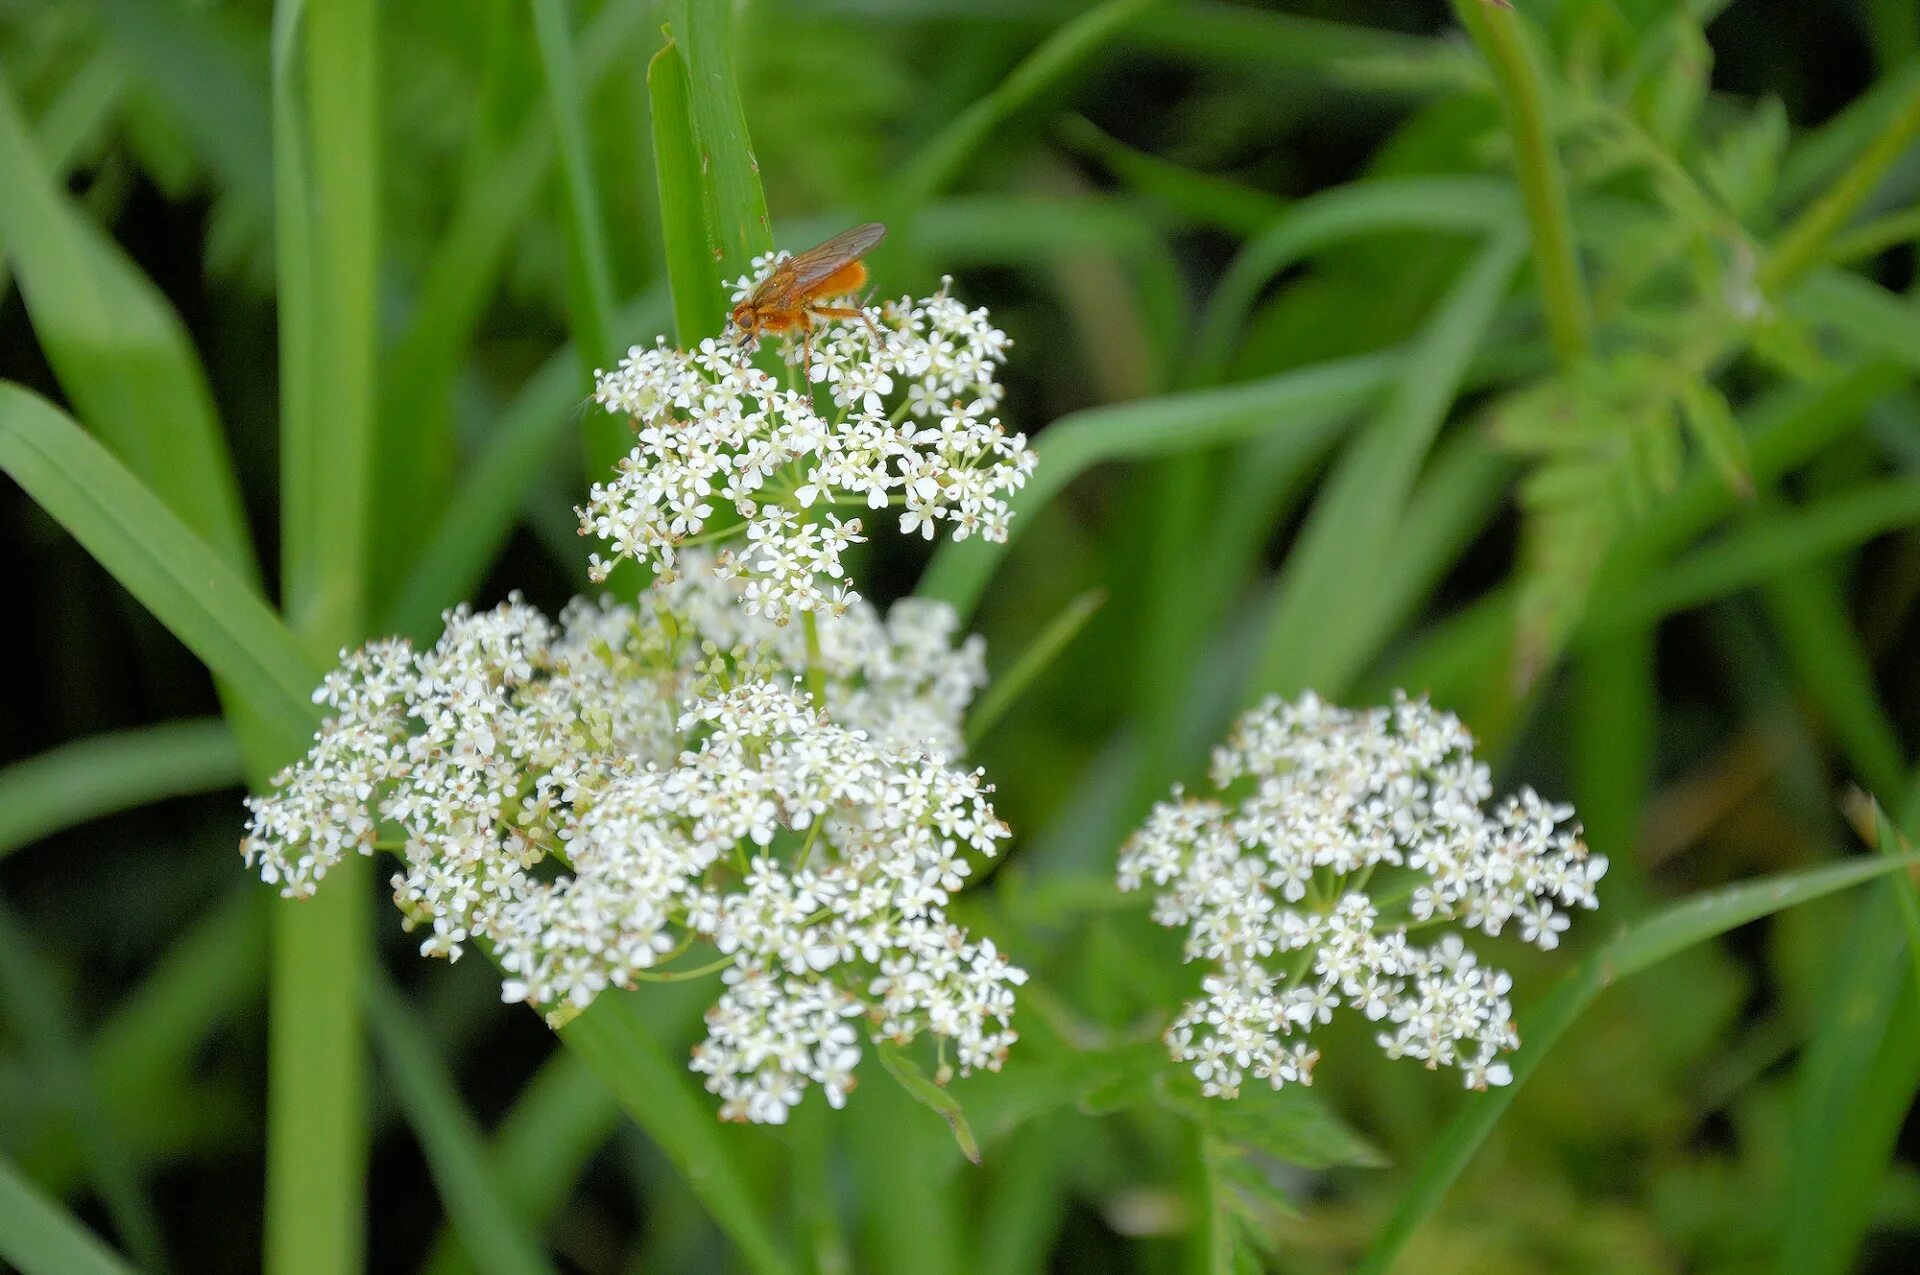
<point x="1157" y="427"/>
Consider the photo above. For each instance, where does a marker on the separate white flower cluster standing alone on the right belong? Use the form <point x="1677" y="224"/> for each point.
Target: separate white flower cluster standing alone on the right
<point x="1335" y="834"/>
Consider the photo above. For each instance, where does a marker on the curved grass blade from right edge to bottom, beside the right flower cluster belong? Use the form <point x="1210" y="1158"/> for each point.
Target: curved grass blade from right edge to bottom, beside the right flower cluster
<point x="1646" y="944"/>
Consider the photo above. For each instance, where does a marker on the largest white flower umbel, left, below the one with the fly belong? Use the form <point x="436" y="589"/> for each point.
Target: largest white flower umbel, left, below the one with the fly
<point x="594" y="800"/>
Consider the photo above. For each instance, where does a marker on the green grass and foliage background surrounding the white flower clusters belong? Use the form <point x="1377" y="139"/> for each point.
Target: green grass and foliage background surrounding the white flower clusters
<point x="1558" y="362"/>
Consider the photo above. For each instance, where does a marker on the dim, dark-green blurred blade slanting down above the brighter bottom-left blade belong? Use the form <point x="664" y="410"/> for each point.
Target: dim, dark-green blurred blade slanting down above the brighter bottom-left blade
<point x="37" y="1011"/>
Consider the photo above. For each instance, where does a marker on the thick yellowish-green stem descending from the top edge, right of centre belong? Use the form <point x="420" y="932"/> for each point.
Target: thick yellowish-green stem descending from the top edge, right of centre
<point x="1539" y="170"/>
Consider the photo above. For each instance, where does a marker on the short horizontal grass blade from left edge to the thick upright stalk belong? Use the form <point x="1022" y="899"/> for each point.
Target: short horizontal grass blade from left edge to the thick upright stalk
<point x="105" y="775"/>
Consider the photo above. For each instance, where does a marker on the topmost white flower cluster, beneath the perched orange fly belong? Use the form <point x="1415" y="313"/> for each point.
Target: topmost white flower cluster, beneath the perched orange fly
<point x="900" y="414"/>
